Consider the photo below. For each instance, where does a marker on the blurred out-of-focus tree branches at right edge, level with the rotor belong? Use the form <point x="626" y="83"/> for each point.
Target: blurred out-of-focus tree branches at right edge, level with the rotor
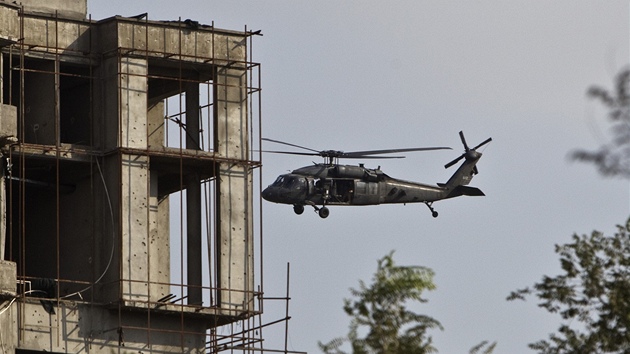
<point x="613" y="158"/>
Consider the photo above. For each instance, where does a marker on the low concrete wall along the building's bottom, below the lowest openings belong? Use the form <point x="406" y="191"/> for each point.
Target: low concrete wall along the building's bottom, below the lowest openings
<point x="78" y="327"/>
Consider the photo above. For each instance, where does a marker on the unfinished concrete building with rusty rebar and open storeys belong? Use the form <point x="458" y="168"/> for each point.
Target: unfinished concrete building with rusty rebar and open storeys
<point x="127" y="187"/>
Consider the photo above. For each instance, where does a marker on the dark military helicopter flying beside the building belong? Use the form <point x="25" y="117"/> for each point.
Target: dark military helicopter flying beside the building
<point x="330" y="183"/>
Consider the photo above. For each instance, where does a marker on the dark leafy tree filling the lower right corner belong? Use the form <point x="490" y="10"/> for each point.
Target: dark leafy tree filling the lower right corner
<point x="591" y="295"/>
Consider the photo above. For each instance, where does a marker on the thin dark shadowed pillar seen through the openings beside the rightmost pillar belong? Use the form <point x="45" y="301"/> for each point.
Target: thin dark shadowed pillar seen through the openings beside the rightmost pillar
<point x="193" y="200"/>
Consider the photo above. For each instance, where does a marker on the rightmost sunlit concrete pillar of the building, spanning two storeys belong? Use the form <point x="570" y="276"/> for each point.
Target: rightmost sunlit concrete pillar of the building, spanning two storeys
<point x="234" y="191"/>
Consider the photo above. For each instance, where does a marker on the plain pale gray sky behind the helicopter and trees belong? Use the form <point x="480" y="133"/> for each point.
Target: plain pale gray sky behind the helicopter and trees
<point x="357" y="75"/>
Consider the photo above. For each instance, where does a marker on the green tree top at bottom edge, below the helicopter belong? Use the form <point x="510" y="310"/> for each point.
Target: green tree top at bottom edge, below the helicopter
<point x="379" y="310"/>
